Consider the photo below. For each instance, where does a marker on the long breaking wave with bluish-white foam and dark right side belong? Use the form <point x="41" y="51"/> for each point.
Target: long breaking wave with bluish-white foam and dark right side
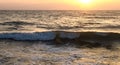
<point x="52" y="35"/>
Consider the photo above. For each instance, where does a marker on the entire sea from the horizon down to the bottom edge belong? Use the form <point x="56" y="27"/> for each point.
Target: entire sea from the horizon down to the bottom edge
<point x="59" y="37"/>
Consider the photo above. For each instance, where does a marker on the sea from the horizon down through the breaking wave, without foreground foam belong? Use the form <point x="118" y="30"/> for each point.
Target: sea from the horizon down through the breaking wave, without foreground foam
<point x="47" y="25"/>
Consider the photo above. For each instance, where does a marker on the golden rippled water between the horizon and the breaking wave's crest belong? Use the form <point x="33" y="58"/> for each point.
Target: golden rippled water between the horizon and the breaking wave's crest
<point x="76" y="21"/>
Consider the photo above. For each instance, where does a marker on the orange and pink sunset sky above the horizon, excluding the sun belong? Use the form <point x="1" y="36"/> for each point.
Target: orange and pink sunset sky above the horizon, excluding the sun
<point x="59" y="5"/>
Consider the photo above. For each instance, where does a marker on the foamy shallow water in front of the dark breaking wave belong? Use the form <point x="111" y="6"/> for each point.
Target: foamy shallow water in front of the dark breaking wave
<point x="49" y="53"/>
